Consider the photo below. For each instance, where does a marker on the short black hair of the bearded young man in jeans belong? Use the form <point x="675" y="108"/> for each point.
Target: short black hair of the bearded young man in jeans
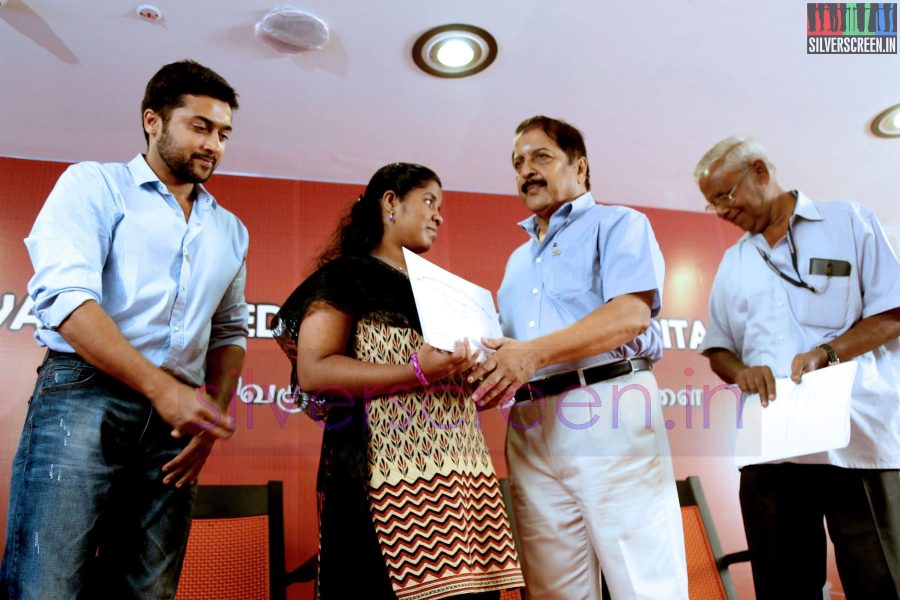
<point x="166" y="90"/>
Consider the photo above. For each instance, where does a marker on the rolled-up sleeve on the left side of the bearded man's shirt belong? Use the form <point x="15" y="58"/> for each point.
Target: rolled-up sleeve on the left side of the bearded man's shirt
<point x="69" y="243"/>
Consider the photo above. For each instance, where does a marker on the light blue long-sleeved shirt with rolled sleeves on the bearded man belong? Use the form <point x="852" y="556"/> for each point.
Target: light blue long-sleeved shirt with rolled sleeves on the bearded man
<point x="114" y="234"/>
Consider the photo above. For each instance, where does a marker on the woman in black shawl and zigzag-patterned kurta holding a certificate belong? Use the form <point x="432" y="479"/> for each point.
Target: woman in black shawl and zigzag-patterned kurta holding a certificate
<point x="409" y="504"/>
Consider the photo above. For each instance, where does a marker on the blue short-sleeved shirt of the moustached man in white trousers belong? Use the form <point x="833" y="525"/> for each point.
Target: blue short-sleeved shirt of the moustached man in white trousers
<point x="590" y="255"/>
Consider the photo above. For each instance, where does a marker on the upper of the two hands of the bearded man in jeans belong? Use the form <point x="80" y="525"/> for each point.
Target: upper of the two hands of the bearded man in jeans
<point x="191" y="411"/>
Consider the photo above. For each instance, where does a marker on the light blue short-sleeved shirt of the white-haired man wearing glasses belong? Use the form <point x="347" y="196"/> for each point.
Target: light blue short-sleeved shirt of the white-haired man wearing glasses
<point x="764" y="320"/>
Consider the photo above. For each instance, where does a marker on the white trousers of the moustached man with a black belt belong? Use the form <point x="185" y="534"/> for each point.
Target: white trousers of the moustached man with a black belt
<point x="593" y="489"/>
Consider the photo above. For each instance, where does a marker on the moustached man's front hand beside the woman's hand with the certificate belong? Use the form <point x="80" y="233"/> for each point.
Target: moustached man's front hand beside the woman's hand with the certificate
<point x="504" y="372"/>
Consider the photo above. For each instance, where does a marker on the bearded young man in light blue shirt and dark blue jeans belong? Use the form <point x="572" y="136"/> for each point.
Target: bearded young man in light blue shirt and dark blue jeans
<point x="139" y="289"/>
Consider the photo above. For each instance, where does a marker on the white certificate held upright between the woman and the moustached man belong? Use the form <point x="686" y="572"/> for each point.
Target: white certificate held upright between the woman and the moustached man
<point x="451" y="308"/>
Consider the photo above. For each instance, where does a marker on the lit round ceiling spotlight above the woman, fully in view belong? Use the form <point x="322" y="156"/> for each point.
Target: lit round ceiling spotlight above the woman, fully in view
<point x="454" y="50"/>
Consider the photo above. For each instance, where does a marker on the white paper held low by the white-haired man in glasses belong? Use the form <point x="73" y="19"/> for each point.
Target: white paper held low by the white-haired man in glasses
<point x="805" y="418"/>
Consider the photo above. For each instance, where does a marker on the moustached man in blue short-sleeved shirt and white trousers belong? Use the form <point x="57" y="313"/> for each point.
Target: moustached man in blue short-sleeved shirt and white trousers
<point x="589" y="462"/>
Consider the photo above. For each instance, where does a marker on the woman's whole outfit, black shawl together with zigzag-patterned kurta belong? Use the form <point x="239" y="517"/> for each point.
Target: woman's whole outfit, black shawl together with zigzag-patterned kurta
<point x="405" y="475"/>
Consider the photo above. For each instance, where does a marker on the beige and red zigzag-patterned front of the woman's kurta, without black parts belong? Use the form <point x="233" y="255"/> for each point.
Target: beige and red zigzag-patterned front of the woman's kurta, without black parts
<point x="438" y="511"/>
